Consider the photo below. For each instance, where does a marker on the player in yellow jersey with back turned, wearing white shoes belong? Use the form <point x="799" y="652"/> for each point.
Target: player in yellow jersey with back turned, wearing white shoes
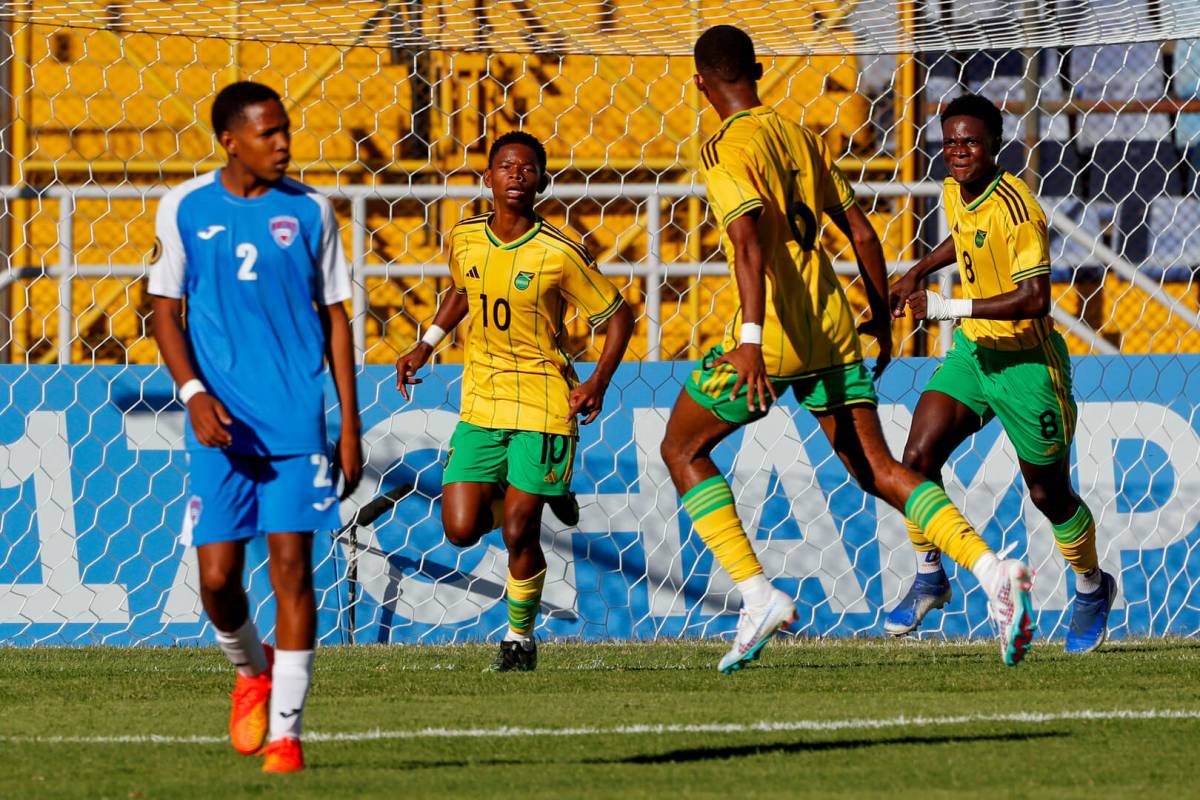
<point x="769" y="182"/>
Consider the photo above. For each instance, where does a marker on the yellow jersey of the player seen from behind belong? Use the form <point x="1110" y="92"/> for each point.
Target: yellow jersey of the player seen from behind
<point x="763" y="164"/>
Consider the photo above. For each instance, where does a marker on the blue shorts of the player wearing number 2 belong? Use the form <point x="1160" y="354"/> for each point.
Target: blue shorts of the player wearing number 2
<point x="235" y="497"/>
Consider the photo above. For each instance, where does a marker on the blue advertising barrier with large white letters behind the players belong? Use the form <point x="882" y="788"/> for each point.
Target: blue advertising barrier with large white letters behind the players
<point x="92" y="495"/>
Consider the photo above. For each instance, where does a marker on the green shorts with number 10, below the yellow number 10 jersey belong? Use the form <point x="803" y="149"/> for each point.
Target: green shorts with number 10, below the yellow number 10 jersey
<point x="538" y="464"/>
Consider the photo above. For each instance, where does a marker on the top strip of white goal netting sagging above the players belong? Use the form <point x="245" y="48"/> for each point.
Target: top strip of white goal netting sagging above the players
<point x="663" y="28"/>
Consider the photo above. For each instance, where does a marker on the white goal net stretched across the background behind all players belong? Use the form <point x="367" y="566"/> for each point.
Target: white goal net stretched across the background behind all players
<point x="393" y="106"/>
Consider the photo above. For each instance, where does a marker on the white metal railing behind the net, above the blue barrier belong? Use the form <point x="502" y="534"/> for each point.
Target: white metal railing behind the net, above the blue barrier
<point x="653" y="268"/>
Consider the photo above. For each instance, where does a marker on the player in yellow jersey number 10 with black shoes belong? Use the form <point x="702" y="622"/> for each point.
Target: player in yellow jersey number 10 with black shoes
<point x="514" y="449"/>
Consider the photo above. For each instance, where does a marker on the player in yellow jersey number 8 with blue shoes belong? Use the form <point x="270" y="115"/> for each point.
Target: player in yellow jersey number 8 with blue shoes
<point x="1007" y="362"/>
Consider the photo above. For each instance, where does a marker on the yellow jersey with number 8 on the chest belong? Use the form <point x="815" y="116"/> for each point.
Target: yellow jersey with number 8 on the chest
<point x="1000" y="240"/>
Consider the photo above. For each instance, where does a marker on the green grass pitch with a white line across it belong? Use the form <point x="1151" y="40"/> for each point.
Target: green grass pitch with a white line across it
<point x="812" y="720"/>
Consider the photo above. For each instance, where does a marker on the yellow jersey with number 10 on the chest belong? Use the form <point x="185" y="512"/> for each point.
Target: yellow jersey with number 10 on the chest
<point x="515" y="374"/>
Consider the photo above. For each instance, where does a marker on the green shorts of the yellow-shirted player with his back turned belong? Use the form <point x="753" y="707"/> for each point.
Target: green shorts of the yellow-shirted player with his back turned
<point x="823" y="392"/>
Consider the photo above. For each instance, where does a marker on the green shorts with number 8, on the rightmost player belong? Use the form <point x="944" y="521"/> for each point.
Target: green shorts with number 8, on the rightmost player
<point x="1029" y="390"/>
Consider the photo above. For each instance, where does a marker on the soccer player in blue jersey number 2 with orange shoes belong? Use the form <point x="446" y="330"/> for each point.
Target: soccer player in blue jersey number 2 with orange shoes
<point x="257" y="258"/>
